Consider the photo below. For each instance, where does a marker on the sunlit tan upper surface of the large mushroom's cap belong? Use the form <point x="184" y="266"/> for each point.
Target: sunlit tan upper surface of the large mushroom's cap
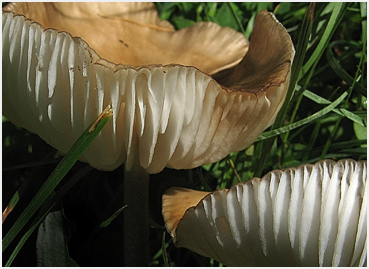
<point x="133" y="34"/>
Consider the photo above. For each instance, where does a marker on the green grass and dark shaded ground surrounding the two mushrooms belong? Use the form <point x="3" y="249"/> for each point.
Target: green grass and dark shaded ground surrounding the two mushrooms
<point x="325" y="118"/>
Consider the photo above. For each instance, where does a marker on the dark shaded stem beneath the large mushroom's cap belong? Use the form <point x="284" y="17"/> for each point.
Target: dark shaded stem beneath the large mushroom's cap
<point x="136" y="220"/>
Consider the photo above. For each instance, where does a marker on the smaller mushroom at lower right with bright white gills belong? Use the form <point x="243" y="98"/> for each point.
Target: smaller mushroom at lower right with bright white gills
<point x="312" y="215"/>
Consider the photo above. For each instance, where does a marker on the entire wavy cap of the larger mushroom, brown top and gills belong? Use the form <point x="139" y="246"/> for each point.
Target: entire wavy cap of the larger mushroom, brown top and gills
<point x="167" y="109"/>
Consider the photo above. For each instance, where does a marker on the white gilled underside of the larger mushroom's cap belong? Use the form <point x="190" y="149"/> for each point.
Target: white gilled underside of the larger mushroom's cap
<point x="166" y="116"/>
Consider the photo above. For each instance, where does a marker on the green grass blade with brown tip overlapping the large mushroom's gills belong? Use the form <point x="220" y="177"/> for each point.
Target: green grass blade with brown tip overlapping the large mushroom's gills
<point x="57" y="175"/>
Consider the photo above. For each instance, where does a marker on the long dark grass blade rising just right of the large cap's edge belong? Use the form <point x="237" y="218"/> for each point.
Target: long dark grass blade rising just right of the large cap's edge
<point x="302" y="44"/>
